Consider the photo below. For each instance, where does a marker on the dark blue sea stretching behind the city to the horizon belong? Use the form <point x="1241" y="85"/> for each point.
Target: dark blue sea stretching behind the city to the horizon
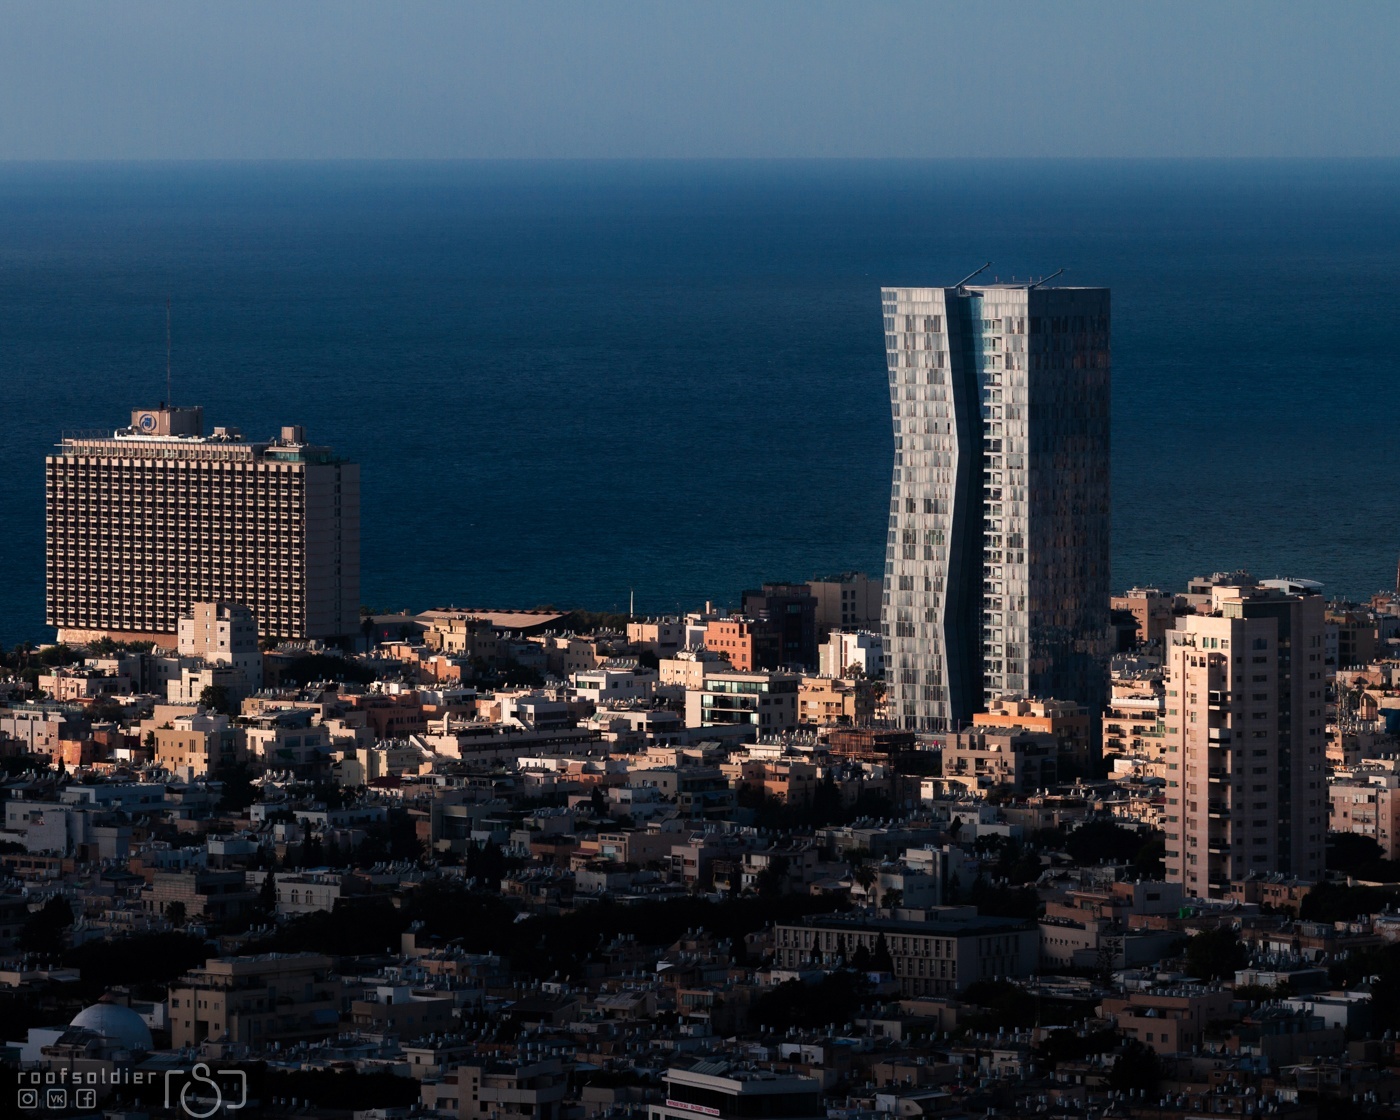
<point x="570" y="380"/>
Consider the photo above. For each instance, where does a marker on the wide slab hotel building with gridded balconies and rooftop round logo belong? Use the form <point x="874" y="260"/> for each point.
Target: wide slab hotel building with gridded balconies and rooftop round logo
<point x="152" y="519"/>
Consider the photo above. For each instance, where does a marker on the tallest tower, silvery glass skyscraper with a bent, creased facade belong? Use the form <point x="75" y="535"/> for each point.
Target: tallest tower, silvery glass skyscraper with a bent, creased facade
<point x="997" y="561"/>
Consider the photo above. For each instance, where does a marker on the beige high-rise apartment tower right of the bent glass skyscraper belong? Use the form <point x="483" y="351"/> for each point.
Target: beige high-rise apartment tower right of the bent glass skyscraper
<point x="1245" y="716"/>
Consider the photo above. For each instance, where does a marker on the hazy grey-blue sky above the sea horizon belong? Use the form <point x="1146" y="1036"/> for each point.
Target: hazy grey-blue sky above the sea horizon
<point x="625" y="79"/>
